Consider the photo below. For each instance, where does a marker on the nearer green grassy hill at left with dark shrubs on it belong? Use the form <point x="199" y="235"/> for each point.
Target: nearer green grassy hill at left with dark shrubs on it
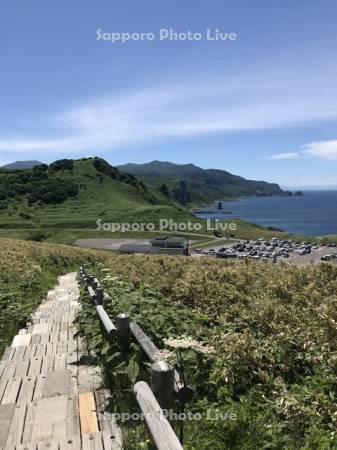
<point x="74" y="194"/>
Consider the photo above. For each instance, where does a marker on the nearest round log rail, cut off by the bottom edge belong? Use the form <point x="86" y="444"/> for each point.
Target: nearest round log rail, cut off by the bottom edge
<point x="161" y="431"/>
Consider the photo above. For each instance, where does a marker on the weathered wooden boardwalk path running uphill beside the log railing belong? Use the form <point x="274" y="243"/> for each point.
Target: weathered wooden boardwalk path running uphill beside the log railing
<point x="50" y="398"/>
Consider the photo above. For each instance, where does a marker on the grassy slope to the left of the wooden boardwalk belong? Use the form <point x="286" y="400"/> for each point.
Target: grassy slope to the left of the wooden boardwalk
<point x="27" y="271"/>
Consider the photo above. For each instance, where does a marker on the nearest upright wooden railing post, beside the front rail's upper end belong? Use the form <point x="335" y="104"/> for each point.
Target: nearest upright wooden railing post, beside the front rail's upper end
<point x="162" y="383"/>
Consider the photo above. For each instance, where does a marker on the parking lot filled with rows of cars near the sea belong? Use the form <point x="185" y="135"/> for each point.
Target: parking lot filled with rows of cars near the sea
<point x="274" y="250"/>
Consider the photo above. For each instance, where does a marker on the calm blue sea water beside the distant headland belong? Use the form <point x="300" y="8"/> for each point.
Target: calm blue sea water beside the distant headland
<point x="313" y="214"/>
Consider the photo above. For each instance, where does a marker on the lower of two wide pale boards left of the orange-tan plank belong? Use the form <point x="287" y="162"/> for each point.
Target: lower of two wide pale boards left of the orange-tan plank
<point x="50" y="418"/>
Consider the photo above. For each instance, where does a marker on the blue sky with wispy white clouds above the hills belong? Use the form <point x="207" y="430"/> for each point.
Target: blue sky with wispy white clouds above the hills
<point x="263" y="106"/>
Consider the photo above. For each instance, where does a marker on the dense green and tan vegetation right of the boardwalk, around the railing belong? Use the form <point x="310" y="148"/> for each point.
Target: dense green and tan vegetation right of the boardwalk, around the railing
<point x="273" y="331"/>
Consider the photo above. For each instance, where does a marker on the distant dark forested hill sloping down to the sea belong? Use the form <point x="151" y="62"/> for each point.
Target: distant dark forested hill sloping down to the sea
<point x="192" y="185"/>
